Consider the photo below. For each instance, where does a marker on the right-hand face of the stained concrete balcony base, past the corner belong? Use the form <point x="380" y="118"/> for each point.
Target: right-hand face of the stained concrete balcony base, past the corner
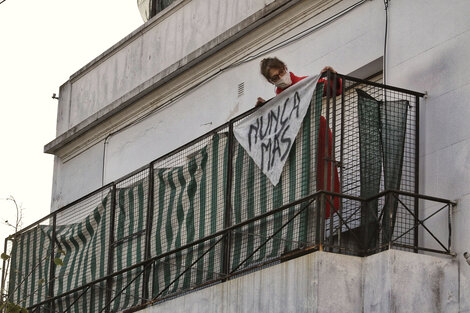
<point x="396" y="281"/>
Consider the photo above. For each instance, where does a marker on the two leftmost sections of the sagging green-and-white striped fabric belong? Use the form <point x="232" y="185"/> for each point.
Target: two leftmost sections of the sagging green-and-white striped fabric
<point x="80" y="246"/>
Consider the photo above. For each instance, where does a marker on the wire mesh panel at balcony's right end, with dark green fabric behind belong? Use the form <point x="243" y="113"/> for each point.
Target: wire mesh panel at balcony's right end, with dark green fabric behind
<point x="375" y="144"/>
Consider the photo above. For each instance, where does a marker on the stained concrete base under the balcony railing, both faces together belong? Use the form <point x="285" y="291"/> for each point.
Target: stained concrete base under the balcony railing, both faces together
<point x="392" y="281"/>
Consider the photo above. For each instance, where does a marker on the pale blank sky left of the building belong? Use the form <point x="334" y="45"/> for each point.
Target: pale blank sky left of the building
<point x="42" y="43"/>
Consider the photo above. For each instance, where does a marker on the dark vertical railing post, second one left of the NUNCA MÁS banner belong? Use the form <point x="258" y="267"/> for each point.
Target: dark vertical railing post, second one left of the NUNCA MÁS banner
<point x="148" y="232"/>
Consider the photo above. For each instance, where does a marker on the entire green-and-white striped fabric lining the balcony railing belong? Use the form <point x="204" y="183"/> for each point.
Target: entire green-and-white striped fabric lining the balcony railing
<point x="189" y="203"/>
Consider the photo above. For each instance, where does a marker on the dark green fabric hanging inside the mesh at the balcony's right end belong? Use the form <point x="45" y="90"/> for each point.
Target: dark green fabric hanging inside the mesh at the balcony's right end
<point x="382" y="130"/>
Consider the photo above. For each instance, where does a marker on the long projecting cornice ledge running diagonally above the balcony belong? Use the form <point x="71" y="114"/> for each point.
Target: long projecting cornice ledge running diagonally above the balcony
<point x="249" y="35"/>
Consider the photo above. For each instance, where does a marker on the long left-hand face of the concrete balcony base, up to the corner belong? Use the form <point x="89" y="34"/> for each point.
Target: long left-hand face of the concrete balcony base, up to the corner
<point x="318" y="282"/>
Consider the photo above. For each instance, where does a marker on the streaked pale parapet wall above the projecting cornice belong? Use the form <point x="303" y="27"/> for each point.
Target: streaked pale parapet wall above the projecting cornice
<point x="166" y="39"/>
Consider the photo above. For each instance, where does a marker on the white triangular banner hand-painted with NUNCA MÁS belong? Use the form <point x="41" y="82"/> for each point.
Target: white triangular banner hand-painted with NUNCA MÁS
<point x="269" y="133"/>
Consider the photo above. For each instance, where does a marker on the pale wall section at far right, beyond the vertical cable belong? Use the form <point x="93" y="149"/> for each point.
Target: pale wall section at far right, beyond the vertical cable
<point x="429" y="48"/>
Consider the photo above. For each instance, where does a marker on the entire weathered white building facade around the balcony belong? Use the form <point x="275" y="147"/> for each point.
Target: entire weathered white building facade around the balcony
<point x="195" y="66"/>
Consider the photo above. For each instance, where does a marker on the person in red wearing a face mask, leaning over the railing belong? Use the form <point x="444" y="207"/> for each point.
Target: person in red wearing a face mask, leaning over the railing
<point x="275" y="71"/>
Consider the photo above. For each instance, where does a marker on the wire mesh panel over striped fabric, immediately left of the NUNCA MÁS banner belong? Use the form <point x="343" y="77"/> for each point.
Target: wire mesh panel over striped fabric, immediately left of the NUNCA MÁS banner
<point x="189" y="204"/>
